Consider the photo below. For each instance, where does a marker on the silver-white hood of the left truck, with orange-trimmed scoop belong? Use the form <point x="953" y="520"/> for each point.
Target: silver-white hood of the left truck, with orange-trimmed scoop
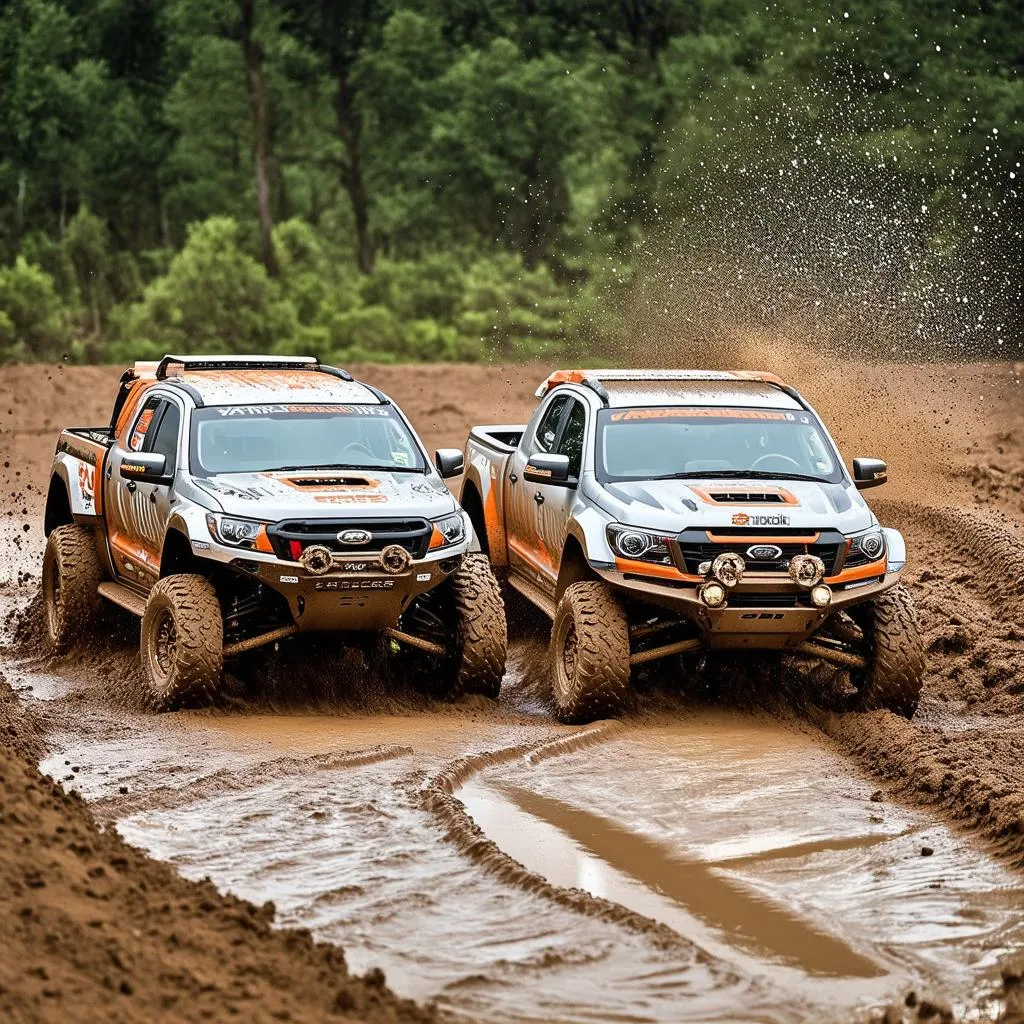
<point x="328" y="495"/>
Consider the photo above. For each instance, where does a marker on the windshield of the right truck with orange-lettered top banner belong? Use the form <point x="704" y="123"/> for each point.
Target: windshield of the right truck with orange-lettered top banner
<point x="713" y="444"/>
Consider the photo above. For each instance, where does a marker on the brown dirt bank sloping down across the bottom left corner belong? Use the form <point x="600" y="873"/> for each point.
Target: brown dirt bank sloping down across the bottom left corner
<point x="94" y="930"/>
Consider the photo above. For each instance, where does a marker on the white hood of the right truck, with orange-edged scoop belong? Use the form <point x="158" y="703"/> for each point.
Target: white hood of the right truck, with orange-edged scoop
<point x="677" y="505"/>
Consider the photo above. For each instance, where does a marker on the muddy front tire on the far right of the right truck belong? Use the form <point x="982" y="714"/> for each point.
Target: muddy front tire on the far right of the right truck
<point x="897" y="655"/>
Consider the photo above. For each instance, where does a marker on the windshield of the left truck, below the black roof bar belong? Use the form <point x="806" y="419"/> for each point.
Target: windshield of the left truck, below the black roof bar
<point x="267" y="439"/>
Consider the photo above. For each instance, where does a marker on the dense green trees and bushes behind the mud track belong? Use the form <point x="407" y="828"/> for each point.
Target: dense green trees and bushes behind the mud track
<point x="417" y="180"/>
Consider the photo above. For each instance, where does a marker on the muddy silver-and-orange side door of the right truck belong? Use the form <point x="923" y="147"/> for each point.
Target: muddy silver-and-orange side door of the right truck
<point x="528" y="552"/>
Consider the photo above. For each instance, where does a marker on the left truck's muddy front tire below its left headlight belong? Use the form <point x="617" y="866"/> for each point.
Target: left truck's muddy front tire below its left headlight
<point x="183" y="643"/>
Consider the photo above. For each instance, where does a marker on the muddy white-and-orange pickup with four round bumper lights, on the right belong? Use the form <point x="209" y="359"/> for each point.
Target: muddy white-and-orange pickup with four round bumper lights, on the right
<point x="662" y="514"/>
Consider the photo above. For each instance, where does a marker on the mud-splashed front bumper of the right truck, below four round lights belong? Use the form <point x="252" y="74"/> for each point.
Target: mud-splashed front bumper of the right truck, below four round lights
<point x="763" y="611"/>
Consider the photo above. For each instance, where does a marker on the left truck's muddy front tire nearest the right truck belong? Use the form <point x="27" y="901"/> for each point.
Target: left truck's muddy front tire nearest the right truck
<point x="482" y="633"/>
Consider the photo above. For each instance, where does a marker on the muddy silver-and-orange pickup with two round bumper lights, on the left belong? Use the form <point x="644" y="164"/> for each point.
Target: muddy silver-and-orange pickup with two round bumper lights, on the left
<point x="233" y="502"/>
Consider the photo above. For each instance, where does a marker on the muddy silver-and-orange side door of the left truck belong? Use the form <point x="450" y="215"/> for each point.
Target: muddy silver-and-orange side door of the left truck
<point x="137" y="511"/>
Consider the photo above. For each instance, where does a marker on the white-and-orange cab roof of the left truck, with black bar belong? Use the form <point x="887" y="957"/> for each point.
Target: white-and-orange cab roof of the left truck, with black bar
<point x="253" y="380"/>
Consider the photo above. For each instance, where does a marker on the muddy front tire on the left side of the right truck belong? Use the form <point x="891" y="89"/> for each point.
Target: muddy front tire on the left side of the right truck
<point x="590" y="655"/>
